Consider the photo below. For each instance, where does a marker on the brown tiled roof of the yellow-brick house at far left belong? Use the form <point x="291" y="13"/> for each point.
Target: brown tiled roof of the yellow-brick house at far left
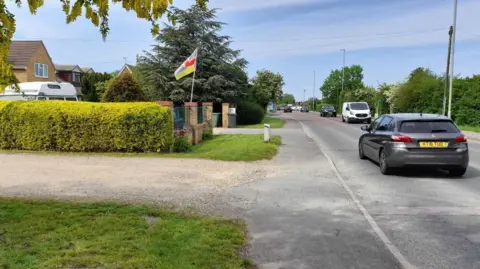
<point x="22" y="51"/>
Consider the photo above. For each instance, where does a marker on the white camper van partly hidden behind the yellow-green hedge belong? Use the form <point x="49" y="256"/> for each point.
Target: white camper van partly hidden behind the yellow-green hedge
<point x="40" y="91"/>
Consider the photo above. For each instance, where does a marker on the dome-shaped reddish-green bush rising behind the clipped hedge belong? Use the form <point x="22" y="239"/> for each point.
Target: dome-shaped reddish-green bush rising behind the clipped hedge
<point x="124" y="89"/>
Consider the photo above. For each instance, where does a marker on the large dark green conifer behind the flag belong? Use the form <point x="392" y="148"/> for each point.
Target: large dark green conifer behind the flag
<point x="220" y="73"/>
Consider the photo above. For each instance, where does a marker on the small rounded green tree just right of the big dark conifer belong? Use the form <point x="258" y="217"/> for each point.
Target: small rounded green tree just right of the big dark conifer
<point x="266" y="87"/>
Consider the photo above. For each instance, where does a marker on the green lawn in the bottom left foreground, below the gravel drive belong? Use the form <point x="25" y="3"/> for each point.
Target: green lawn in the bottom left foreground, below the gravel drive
<point x="41" y="234"/>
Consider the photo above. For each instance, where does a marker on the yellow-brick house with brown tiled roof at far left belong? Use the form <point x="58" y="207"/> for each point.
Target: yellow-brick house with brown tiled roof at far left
<point x="31" y="61"/>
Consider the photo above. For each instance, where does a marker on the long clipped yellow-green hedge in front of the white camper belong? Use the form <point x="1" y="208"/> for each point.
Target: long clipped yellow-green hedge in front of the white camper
<point x="83" y="126"/>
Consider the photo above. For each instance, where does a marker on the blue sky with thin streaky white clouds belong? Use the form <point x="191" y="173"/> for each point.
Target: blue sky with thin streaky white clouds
<point x="301" y="39"/>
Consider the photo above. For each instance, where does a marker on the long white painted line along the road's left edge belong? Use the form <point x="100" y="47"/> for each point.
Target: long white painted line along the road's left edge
<point x="373" y="224"/>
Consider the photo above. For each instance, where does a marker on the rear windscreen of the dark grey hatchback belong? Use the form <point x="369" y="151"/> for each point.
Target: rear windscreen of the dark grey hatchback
<point x="428" y="127"/>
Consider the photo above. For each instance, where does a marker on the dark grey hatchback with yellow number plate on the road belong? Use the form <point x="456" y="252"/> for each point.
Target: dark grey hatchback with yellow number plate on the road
<point x="398" y="140"/>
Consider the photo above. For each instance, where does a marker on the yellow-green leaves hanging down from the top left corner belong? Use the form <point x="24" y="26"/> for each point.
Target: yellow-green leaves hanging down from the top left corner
<point x="97" y="11"/>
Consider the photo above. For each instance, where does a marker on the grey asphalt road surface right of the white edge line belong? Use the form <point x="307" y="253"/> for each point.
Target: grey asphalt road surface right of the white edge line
<point x="432" y="219"/>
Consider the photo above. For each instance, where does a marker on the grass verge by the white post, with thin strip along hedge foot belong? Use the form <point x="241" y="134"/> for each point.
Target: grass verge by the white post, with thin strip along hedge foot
<point x="221" y="148"/>
